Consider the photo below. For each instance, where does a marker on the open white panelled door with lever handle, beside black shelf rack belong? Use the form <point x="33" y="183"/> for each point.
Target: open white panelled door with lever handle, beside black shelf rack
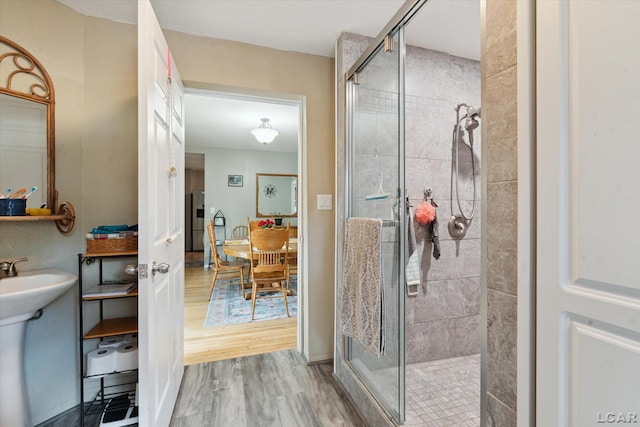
<point x="160" y="218"/>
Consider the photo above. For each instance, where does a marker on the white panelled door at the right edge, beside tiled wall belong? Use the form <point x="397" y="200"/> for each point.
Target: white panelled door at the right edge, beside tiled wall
<point x="588" y="201"/>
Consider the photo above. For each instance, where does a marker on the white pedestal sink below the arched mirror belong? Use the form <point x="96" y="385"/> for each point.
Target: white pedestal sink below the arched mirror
<point x="20" y="298"/>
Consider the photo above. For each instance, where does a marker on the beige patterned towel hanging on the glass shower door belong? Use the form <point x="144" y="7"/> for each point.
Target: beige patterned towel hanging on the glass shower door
<point x="362" y="296"/>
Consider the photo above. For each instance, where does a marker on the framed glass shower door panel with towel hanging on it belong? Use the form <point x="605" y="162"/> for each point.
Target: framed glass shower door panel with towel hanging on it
<point x="375" y="179"/>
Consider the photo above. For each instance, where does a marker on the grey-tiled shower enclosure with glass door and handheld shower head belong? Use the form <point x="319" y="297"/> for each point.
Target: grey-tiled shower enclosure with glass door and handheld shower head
<point x="402" y="102"/>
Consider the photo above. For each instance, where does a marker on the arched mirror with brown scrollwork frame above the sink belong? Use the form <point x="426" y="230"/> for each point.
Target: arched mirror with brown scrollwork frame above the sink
<point x="26" y="125"/>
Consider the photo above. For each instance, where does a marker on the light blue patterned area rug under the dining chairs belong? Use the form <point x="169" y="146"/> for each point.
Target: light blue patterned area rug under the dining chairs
<point x="228" y="307"/>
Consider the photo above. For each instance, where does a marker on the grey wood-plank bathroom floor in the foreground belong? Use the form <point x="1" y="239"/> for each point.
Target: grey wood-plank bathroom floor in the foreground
<point x="275" y="389"/>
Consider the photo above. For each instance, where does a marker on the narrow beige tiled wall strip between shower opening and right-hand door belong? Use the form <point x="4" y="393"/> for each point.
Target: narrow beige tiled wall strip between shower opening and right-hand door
<point x="500" y="121"/>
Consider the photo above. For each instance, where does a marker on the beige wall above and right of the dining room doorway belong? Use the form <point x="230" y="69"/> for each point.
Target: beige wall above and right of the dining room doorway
<point x="217" y="62"/>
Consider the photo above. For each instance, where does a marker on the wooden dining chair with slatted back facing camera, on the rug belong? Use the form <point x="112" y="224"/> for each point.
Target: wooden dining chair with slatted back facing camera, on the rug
<point x="270" y="270"/>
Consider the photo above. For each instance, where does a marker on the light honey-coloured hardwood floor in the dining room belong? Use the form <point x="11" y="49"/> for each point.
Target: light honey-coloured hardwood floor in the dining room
<point x="225" y="342"/>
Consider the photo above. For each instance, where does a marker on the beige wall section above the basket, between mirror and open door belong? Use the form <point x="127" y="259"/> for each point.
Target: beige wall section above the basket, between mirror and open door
<point x="110" y="127"/>
